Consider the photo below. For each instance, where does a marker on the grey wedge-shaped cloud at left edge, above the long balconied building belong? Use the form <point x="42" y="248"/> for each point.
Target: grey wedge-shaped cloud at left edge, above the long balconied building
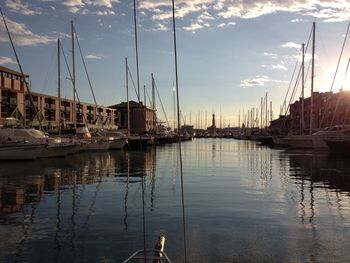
<point x="21" y="35"/>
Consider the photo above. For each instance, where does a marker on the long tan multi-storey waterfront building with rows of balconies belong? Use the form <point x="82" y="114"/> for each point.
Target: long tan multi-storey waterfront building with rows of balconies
<point x="15" y="101"/>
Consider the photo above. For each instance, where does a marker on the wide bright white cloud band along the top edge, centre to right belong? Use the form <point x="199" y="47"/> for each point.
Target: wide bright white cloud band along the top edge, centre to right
<point x="326" y="10"/>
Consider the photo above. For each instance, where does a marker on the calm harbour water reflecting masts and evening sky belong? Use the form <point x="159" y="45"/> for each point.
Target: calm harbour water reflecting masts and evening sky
<point x="243" y="203"/>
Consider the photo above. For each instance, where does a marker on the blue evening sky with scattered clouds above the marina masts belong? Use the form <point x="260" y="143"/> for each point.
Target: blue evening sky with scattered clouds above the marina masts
<point x="230" y="52"/>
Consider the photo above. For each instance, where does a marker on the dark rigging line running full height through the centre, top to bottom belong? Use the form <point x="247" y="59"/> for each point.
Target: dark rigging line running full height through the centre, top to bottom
<point x="179" y="141"/>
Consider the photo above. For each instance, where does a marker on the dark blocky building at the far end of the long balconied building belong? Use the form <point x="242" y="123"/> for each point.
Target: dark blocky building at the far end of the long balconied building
<point x="142" y="118"/>
